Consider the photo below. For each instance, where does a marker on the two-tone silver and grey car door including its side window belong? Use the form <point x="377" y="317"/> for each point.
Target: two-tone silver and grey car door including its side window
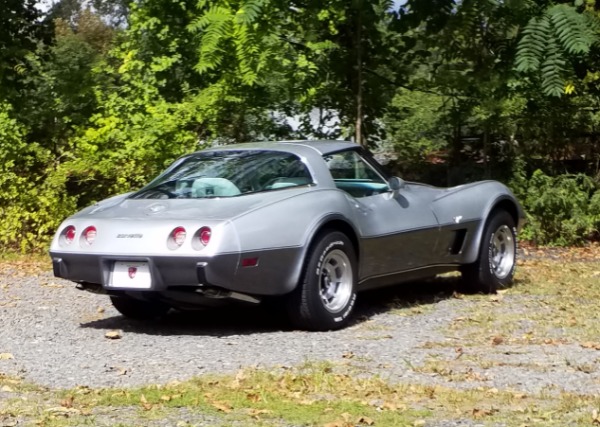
<point x="399" y="229"/>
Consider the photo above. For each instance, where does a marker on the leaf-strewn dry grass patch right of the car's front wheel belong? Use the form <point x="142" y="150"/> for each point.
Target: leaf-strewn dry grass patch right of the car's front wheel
<point x="551" y="303"/>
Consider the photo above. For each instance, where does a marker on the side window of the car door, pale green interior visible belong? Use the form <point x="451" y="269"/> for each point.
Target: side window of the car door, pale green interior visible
<point x="354" y="175"/>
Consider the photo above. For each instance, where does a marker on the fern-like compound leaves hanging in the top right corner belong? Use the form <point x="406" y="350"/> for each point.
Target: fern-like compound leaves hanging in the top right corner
<point x="550" y="40"/>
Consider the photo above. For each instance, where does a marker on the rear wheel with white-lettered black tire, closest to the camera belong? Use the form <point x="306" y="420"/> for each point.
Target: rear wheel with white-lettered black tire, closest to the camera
<point x="319" y="303"/>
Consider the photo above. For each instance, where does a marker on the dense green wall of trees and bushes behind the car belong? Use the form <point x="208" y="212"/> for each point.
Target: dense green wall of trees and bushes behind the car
<point x="98" y="96"/>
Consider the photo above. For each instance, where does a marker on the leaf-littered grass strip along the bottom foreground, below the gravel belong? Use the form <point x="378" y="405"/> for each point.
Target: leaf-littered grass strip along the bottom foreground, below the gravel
<point x="319" y="394"/>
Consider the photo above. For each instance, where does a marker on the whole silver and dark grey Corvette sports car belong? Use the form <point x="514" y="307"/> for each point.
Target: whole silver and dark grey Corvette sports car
<point x="308" y="223"/>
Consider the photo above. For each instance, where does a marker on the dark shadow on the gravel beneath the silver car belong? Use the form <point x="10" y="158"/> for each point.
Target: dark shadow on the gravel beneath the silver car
<point x="250" y="319"/>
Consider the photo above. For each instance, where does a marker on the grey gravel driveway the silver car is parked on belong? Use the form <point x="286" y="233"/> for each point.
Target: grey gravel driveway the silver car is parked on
<point x="56" y="336"/>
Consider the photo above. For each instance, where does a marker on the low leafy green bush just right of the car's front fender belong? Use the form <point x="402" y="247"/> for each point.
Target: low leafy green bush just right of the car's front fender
<point x="561" y="210"/>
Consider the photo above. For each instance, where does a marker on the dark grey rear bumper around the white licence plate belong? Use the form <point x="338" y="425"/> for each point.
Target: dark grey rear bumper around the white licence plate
<point x="276" y="272"/>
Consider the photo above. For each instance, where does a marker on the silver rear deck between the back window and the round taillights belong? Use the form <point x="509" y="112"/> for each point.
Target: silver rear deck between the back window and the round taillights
<point x="217" y="209"/>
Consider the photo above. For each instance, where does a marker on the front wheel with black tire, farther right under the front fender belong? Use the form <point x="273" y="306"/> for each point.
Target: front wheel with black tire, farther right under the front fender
<point x="495" y="265"/>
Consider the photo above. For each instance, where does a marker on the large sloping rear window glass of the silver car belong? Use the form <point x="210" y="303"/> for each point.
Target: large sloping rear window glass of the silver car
<point x="227" y="174"/>
